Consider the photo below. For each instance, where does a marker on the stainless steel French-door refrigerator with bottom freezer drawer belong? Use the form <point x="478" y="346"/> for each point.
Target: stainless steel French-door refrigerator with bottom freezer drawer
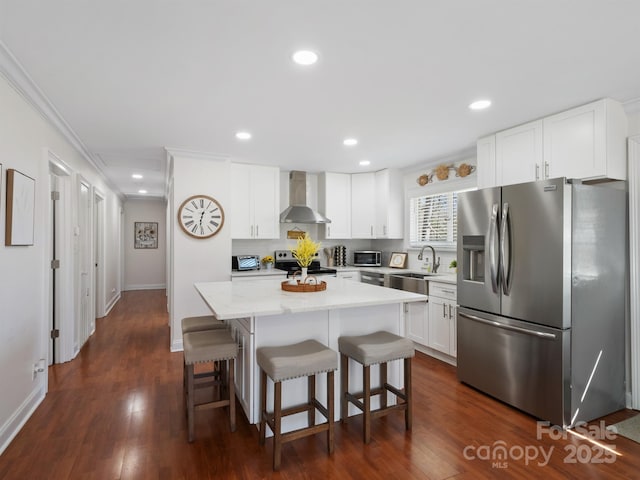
<point x="541" y="288"/>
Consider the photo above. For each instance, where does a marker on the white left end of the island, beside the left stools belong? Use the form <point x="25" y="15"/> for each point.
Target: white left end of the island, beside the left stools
<point x="244" y="371"/>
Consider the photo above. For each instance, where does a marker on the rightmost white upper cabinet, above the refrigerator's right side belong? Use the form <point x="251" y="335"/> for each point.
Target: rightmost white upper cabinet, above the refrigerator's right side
<point x="587" y="142"/>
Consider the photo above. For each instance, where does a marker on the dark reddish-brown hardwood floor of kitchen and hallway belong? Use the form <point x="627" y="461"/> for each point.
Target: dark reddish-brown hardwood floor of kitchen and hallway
<point x="117" y="411"/>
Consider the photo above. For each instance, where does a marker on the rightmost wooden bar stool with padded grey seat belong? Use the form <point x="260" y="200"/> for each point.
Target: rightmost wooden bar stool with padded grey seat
<point x="375" y="348"/>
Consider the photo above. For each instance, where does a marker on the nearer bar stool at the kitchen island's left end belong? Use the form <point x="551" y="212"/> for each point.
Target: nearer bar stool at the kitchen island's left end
<point x="216" y="347"/>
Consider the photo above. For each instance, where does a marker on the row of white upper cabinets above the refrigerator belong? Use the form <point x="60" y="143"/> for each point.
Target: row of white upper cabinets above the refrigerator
<point x="587" y="143"/>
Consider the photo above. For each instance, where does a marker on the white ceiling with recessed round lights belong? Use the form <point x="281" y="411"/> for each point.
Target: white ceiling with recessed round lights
<point x="133" y="77"/>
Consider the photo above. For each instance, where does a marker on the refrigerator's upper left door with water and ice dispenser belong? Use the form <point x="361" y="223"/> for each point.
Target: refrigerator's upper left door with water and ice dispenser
<point x="478" y="249"/>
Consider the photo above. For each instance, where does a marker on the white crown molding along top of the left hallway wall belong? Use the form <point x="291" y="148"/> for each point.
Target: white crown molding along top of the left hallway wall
<point x="21" y="82"/>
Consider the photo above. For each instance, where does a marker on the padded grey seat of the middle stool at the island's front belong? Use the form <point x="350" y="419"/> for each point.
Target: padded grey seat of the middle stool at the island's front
<point x="298" y="360"/>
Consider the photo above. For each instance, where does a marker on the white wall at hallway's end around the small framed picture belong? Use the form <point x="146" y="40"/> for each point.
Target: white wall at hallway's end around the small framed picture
<point x="144" y="268"/>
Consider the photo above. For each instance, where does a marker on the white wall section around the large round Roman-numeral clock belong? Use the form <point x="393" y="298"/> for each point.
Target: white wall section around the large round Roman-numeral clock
<point x="196" y="260"/>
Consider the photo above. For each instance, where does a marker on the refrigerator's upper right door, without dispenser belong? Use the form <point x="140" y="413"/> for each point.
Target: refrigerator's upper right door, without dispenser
<point x="535" y="235"/>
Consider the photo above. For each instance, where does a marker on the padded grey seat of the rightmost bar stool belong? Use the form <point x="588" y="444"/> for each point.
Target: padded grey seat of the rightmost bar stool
<point x="376" y="347"/>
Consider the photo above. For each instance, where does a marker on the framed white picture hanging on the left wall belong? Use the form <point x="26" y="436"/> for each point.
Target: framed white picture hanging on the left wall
<point x="20" y="217"/>
